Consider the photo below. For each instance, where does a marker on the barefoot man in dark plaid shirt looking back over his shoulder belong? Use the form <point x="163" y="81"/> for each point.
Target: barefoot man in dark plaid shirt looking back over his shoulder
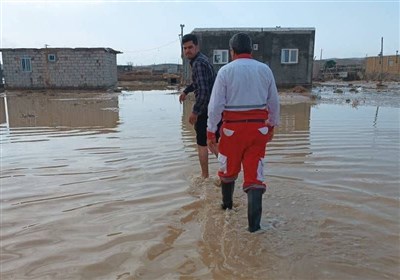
<point x="203" y="77"/>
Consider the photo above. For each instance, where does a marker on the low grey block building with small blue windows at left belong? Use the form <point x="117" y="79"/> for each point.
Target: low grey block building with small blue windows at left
<point x="59" y="68"/>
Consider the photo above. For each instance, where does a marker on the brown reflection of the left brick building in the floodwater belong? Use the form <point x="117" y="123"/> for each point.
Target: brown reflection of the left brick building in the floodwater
<point x="40" y="110"/>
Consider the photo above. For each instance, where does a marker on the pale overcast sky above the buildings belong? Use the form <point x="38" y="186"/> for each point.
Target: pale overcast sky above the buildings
<point x="147" y="31"/>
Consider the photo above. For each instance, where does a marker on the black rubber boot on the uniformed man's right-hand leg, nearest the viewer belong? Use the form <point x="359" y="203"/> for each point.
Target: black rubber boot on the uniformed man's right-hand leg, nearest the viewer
<point x="254" y="208"/>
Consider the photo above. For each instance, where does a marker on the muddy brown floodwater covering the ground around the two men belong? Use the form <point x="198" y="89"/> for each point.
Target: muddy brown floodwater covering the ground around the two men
<point x="106" y="186"/>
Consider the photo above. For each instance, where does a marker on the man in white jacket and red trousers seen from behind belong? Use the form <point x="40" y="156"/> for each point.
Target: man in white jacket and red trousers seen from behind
<point x="246" y="94"/>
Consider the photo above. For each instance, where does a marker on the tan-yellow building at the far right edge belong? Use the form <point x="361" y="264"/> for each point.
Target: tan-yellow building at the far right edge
<point x="386" y="67"/>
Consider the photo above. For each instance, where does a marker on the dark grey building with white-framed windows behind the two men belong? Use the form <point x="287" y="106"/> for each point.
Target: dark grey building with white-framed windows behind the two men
<point x="288" y="51"/>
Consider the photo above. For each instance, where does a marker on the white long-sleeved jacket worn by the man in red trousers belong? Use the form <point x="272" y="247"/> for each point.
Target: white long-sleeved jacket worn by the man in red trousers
<point x="243" y="85"/>
